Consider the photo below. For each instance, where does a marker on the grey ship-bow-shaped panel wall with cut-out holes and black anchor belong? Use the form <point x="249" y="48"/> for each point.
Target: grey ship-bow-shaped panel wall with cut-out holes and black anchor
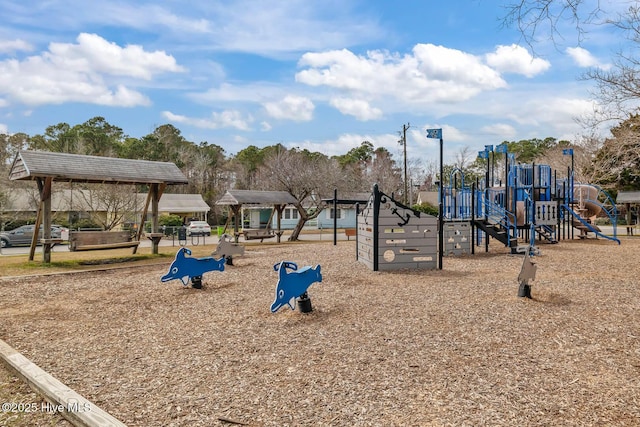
<point x="392" y="236"/>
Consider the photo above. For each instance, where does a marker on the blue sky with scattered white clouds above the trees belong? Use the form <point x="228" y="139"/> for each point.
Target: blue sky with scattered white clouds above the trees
<point x="318" y="75"/>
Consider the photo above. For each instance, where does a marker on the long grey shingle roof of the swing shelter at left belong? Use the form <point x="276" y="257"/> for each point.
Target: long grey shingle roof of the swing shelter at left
<point x="29" y="165"/>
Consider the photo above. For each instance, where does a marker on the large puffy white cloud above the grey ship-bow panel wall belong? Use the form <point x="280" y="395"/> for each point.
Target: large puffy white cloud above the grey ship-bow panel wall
<point x="430" y="74"/>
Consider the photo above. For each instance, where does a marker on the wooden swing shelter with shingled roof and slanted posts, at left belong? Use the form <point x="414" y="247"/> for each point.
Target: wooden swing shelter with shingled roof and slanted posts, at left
<point x="46" y="167"/>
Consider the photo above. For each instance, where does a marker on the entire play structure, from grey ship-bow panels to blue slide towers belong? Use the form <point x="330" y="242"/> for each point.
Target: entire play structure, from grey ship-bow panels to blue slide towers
<point x="530" y="205"/>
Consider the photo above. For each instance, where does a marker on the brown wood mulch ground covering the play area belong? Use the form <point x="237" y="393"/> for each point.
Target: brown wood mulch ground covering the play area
<point x="451" y="347"/>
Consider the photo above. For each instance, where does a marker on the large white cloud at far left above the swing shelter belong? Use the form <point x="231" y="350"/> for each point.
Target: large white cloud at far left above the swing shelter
<point x="87" y="71"/>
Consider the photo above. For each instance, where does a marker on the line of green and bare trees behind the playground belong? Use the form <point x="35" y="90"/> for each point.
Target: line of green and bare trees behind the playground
<point x="312" y="176"/>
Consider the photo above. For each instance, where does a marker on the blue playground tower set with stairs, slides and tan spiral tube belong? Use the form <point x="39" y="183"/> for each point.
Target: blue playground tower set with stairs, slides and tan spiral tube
<point x="529" y="204"/>
